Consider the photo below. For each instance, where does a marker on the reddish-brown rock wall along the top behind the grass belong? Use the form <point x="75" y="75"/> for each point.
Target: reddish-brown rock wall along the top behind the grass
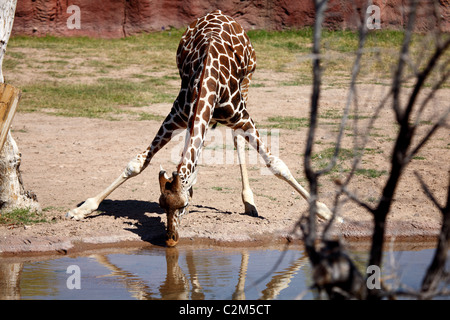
<point x="114" y="18"/>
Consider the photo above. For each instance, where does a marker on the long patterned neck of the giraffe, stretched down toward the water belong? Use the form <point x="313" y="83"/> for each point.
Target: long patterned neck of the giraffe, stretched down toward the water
<point x="204" y="94"/>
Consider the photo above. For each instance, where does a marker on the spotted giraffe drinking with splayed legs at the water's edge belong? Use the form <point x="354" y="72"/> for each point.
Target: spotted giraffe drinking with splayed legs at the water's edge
<point x="216" y="61"/>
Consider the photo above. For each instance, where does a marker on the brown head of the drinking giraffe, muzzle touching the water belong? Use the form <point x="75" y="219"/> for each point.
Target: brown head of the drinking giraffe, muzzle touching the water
<point x="174" y="201"/>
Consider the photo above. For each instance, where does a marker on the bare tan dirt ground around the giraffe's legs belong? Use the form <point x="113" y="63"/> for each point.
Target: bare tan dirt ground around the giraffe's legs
<point x="66" y="160"/>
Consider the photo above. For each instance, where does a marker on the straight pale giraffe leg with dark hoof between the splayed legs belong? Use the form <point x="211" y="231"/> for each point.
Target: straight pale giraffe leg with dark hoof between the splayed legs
<point x="247" y="194"/>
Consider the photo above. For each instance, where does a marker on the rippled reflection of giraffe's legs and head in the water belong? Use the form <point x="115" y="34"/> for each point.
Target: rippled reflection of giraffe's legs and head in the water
<point x="179" y="286"/>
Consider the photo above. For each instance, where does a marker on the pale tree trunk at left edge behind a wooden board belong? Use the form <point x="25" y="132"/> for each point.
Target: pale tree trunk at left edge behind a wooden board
<point x="12" y="192"/>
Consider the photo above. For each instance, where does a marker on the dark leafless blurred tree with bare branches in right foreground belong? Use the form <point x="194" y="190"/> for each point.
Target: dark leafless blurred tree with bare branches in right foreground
<point x="333" y="271"/>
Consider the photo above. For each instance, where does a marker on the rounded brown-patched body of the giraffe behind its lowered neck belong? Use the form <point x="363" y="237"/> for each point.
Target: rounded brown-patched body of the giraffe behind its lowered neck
<point x="232" y="58"/>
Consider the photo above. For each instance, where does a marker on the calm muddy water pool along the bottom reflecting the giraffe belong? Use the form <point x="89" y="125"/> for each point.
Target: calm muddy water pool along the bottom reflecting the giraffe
<point x="183" y="273"/>
